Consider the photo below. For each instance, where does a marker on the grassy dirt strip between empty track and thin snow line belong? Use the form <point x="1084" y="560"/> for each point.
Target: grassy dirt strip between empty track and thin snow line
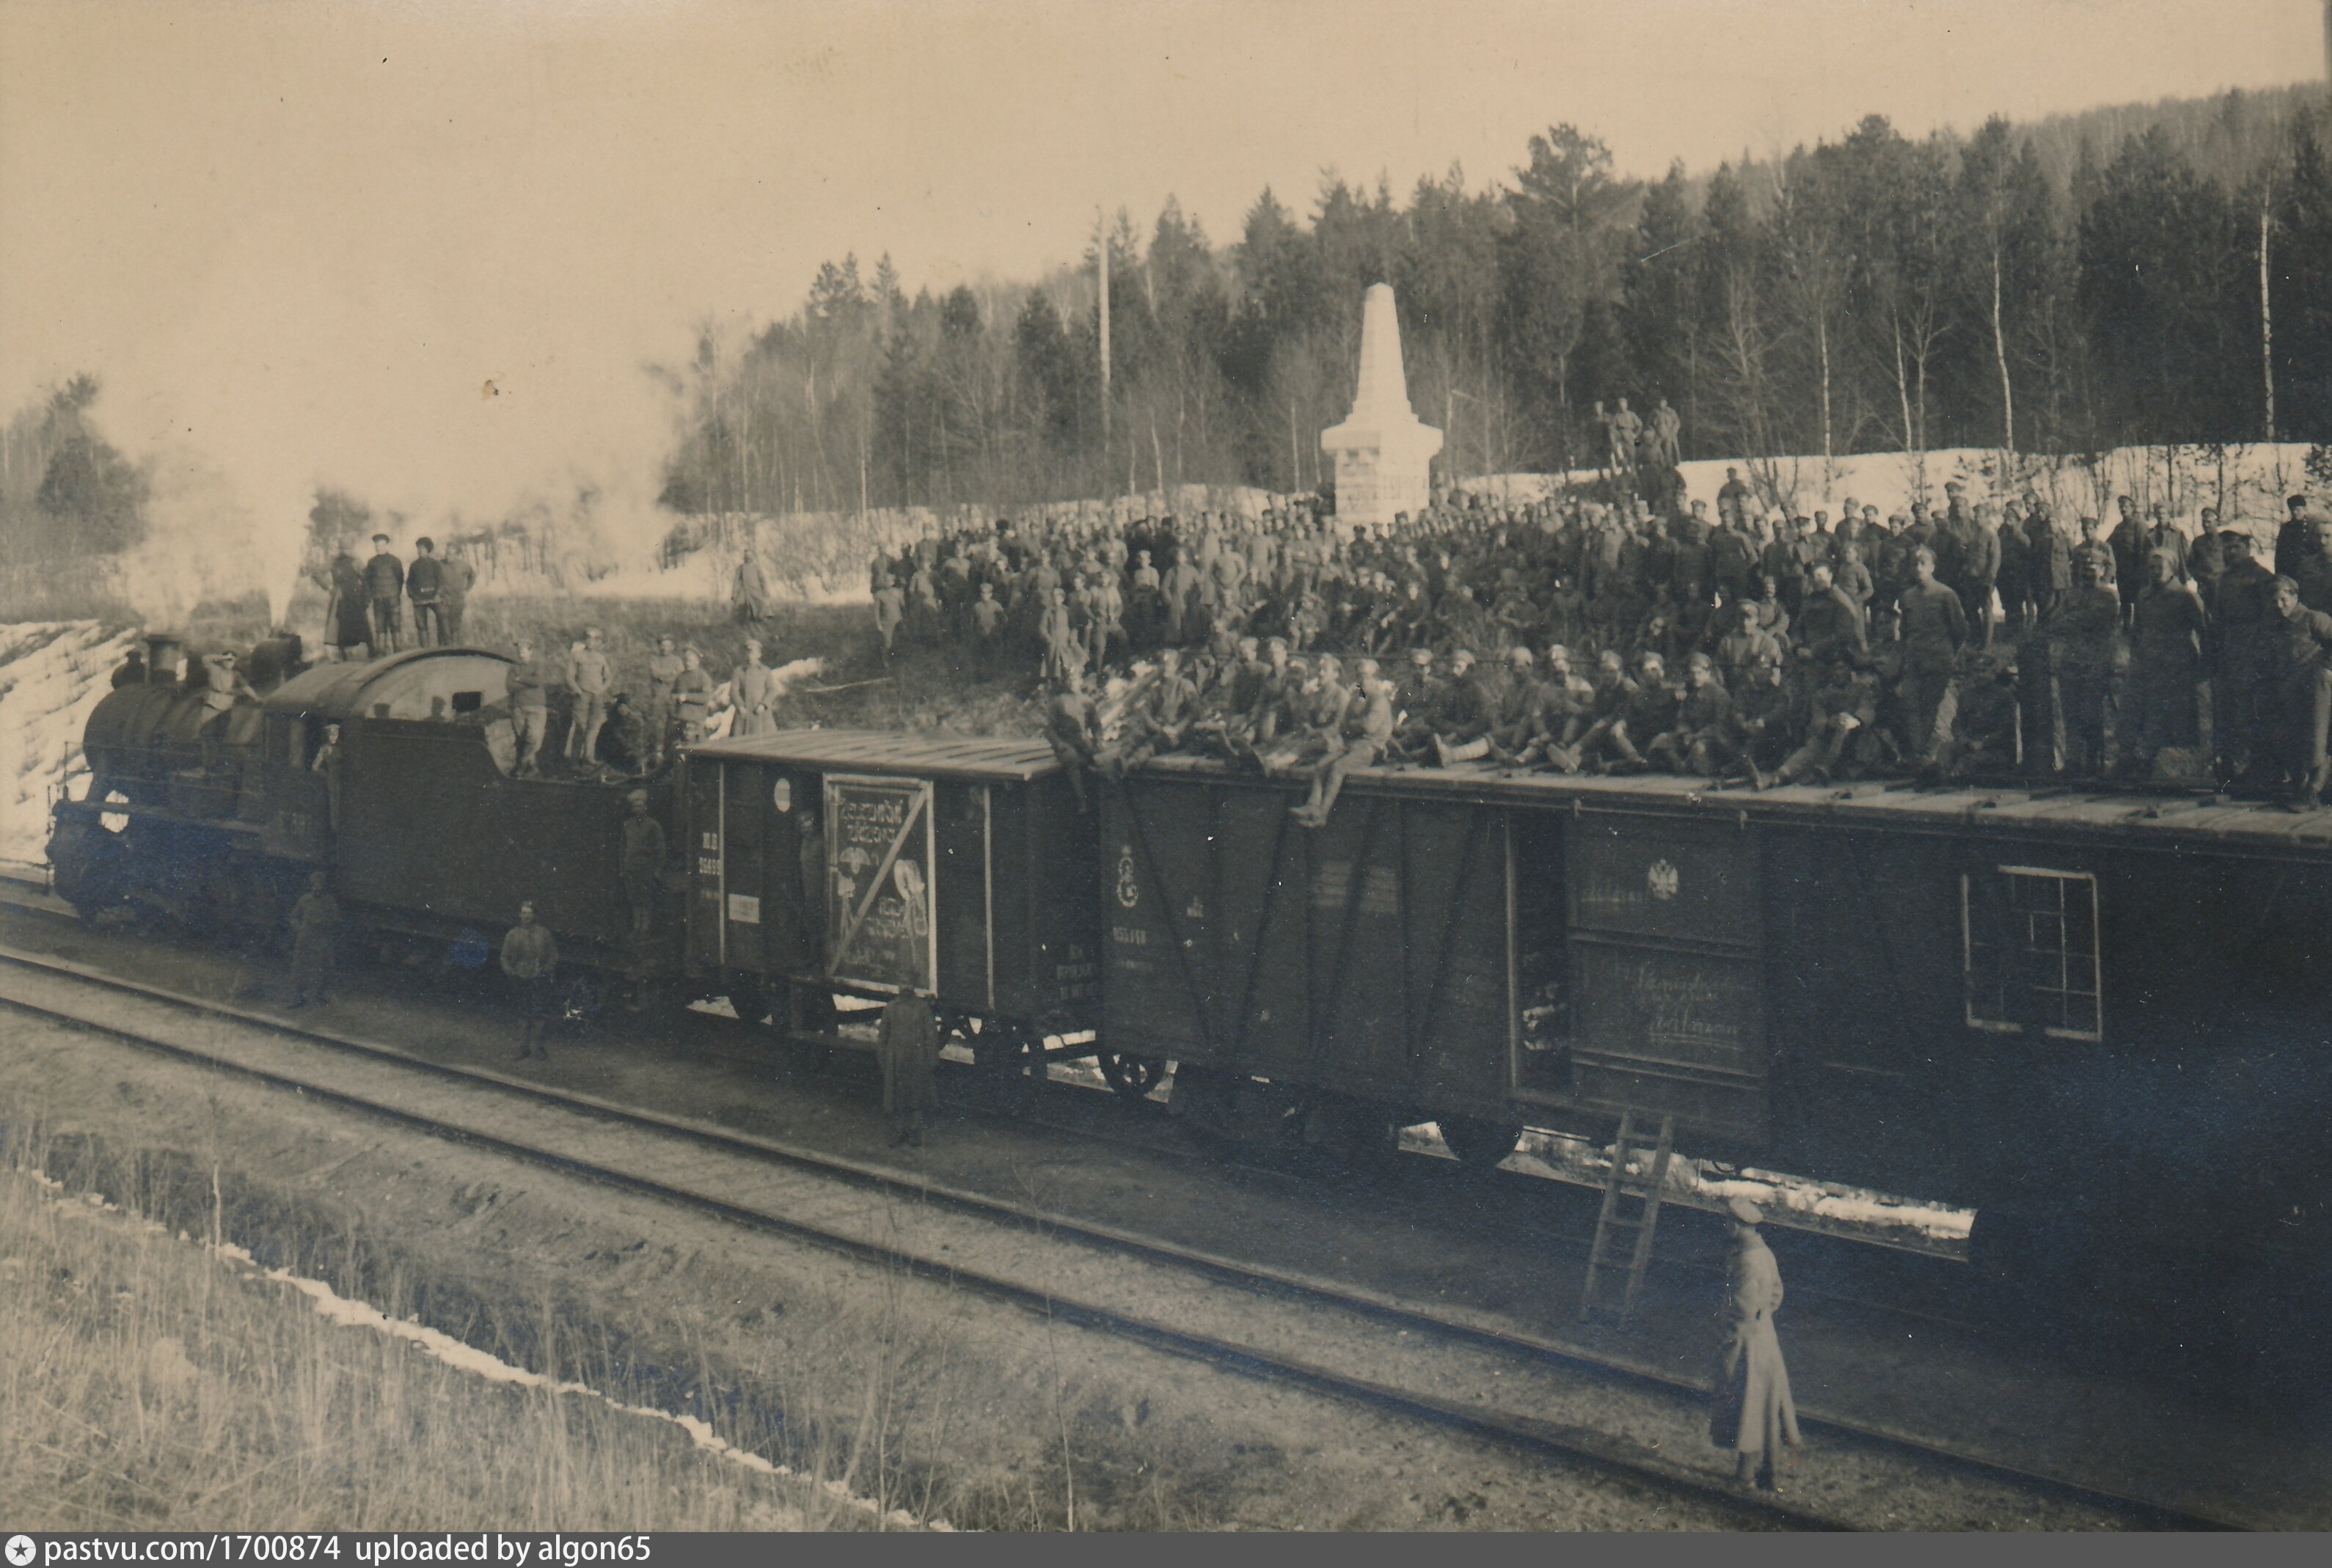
<point x="934" y="1401"/>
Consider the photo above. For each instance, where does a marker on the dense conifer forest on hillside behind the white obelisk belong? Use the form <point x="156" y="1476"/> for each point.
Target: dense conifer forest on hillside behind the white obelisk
<point x="2130" y="276"/>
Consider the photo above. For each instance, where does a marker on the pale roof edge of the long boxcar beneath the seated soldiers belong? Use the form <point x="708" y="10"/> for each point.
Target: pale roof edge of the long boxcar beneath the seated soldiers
<point x="2154" y="821"/>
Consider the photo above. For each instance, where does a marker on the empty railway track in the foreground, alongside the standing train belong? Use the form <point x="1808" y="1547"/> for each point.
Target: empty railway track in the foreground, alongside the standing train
<point x="1242" y="1336"/>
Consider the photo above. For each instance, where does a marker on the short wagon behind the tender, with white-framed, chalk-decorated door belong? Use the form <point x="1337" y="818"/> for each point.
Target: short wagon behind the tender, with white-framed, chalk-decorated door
<point x="864" y="863"/>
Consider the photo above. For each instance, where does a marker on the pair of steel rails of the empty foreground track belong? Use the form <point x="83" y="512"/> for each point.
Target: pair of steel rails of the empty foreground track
<point x="1519" y="1432"/>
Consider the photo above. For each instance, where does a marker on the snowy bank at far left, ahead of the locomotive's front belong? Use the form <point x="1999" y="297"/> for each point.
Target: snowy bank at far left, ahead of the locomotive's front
<point x="52" y="674"/>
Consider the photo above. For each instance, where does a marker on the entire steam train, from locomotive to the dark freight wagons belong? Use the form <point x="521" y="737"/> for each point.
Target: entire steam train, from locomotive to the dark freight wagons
<point x="2093" y="1017"/>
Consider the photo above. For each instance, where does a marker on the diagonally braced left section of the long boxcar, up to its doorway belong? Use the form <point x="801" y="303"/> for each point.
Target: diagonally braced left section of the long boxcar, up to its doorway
<point x="1363" y="973"/>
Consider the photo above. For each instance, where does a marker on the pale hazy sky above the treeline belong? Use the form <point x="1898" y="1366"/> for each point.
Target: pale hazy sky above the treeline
<point x="302" y="239"/>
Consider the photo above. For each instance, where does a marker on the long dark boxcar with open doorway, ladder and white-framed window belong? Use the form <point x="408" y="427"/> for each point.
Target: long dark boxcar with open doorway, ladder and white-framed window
<point x="2058" y="1003"/>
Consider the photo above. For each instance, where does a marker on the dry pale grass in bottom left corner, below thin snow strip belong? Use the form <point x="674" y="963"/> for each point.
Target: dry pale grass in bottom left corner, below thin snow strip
<point x="150" y="1385"/>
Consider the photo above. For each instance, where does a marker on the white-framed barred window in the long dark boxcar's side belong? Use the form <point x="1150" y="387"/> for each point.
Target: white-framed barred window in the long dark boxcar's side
<point x="2030" y="947"/>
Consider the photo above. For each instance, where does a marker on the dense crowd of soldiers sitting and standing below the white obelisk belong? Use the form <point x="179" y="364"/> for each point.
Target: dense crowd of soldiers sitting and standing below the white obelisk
<point x="1974" y="640"/>
